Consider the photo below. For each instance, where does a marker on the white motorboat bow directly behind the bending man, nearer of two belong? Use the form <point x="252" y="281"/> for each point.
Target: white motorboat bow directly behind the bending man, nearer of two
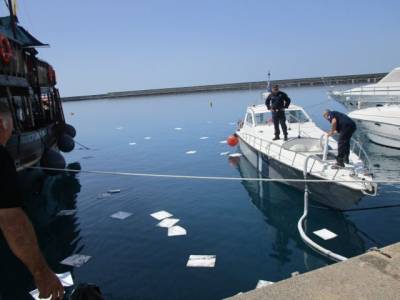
<point x="380" y="124"/>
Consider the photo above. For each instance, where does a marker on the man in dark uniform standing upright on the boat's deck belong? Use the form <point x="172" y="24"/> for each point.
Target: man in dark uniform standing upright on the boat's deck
<point x="276" y="102"/>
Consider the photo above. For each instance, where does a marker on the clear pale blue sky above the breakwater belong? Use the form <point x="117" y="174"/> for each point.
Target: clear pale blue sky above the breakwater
<point x="101" y="46"/>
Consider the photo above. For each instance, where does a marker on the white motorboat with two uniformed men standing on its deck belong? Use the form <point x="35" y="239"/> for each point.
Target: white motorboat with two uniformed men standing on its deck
<point x="307" y="148"/>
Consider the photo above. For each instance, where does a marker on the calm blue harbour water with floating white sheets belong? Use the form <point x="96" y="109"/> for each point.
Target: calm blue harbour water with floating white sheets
<point x="253" y="237"/>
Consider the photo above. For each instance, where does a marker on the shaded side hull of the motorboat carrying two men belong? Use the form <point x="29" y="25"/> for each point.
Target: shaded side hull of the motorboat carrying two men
<point x="333" y="195"/>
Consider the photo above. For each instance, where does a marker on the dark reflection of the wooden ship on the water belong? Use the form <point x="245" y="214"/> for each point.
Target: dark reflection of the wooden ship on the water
<point x="44" y="197"/>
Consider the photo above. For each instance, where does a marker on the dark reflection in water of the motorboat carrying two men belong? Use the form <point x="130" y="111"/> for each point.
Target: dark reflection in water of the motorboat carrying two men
<point x="282" y="206"/>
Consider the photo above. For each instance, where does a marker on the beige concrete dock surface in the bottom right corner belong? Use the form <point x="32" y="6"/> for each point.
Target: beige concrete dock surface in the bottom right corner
<point x="374" y="275"/>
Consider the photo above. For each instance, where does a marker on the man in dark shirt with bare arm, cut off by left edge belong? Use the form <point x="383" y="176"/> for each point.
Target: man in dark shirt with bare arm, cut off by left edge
<point x="14" y="223"/>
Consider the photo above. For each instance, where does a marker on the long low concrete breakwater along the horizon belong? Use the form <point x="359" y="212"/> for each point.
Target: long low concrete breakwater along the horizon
<point x="255" y="85"/>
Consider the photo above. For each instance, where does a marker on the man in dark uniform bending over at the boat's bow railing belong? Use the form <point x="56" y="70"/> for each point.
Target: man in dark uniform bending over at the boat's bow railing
<point x="345" y="126"/>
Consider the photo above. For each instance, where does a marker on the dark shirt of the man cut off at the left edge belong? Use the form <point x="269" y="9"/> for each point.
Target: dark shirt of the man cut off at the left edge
<point x="10" y="195"/>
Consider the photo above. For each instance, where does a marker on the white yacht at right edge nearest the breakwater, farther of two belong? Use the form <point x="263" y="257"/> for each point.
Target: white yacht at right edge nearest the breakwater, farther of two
<point x="385" y="91"/>
